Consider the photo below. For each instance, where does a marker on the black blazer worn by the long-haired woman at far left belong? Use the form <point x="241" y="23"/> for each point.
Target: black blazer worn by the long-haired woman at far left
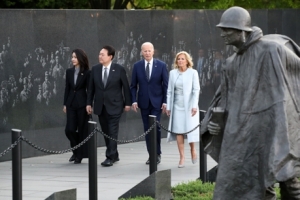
<point x="76" y="92"/>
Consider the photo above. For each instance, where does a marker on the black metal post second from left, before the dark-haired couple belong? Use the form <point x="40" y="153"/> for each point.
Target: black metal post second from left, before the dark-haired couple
<point x="93" y="177"/>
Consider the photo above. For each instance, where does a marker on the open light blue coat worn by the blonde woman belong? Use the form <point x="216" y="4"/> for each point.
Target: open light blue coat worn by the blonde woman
<point x="191" y="90"/>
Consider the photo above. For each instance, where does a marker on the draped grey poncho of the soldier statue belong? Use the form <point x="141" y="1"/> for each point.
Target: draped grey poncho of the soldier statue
<point x="260" y="142"/>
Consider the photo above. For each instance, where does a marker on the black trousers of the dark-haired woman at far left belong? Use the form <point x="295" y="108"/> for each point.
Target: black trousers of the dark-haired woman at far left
<point x="76" y="129"/>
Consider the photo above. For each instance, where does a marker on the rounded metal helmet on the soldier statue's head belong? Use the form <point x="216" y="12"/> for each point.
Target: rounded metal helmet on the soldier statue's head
<point x="236" y="18"/>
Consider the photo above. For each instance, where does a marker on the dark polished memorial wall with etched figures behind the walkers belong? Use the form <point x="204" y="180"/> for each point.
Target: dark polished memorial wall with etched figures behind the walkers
<point x="35" y="51"/>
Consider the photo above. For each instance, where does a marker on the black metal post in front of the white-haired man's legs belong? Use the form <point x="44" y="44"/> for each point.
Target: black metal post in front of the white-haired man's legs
<point x="153" y="145"/>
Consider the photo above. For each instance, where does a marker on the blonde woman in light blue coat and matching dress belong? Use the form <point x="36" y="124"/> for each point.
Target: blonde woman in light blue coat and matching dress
<point x="182" y="105"/>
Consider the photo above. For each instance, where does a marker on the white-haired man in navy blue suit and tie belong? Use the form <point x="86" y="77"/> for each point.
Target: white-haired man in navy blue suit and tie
<point x="149" y="84"/>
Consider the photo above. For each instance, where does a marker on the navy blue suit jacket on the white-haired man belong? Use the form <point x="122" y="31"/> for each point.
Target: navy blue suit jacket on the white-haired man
<point x="154" y="90"/>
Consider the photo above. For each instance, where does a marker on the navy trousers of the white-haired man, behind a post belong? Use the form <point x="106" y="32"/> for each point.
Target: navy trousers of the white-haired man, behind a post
<point x="145" y="116"/>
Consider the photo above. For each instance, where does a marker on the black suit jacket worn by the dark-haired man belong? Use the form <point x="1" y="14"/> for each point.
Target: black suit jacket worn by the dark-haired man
<point x="115" y="95"/>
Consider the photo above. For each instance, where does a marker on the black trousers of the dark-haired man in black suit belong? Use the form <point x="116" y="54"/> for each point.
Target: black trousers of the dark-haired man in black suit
<point x="110" y="126"/>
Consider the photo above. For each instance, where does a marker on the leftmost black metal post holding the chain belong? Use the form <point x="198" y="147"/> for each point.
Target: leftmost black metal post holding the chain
<point x="16" y="165"/>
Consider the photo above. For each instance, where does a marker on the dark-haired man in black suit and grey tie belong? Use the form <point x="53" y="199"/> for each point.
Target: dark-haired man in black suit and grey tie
<point x="109" y="89"/>
